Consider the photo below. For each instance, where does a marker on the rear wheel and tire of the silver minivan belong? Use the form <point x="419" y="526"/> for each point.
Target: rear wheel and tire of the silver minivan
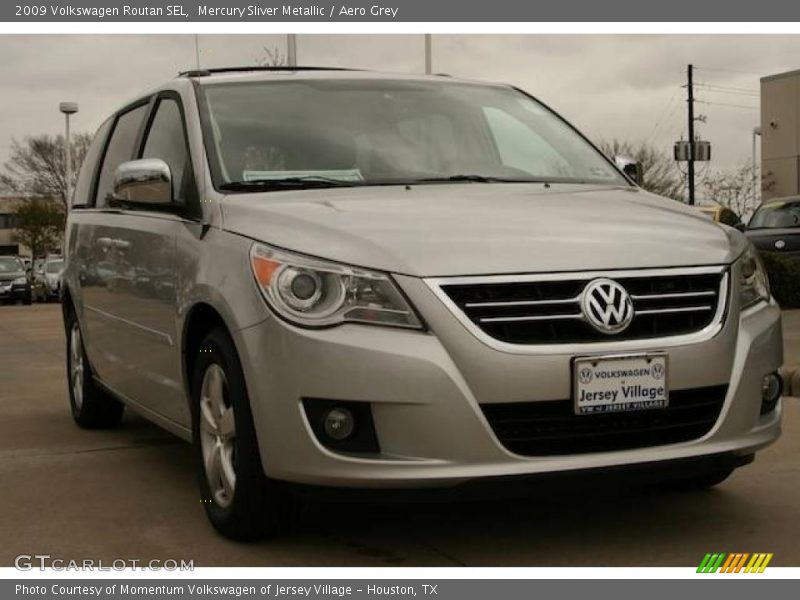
<point x="92" y="407"/>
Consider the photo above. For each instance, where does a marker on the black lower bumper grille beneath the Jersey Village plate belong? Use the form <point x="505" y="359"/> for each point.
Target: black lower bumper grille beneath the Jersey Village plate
<point x="552" y="428"/>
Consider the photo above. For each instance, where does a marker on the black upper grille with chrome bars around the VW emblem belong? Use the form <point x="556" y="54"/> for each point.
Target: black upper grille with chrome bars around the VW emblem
<point x="548" y="311"/>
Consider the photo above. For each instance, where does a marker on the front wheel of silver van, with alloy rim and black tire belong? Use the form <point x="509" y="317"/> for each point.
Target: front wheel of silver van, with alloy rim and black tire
<point x="240" y="501"/>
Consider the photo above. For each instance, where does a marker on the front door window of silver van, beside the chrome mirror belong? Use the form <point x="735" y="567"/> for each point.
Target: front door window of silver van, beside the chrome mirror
<point x="166" y="139"/>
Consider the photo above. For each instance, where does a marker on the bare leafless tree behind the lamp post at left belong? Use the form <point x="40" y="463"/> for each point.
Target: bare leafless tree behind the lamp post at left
<point x="37" y="166"/>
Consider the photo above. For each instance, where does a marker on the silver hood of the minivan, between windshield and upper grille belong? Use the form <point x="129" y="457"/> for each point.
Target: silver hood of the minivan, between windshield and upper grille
<point x="476" y="228"/>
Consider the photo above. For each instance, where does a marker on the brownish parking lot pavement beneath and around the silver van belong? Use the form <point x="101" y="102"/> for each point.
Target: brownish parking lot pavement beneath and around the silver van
<point x="130" y="493"/>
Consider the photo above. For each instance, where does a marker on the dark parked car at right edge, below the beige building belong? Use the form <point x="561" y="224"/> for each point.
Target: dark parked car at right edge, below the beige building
<point x="775" y="227"/>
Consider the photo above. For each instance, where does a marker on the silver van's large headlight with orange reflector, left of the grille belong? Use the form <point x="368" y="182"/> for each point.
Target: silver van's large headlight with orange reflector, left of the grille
<point x="316" y="293"/>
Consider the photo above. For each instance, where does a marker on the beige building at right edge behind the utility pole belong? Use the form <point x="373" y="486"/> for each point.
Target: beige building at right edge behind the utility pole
<point x="780" y="135"/>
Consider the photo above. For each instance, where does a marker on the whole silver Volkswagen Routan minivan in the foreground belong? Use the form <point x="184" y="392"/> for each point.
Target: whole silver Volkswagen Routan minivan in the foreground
<point x="348" y="279"/>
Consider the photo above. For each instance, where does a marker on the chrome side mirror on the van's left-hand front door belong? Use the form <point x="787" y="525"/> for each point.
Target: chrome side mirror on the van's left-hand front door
<point x="146" y="182"/>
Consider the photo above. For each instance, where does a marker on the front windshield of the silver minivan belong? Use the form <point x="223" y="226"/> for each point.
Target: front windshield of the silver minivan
<point x="321" y="133"/>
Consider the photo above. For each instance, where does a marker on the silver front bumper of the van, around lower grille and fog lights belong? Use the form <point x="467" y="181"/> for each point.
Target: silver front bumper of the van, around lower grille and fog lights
<point x="425" y="389"/>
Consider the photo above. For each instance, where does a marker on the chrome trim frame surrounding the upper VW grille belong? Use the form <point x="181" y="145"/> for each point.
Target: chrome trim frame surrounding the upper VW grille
<point x="435" y="285"/>
